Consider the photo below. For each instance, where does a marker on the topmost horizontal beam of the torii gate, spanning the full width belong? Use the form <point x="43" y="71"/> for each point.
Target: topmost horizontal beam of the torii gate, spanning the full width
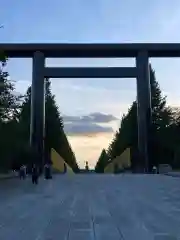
<point x="90" y="50"/>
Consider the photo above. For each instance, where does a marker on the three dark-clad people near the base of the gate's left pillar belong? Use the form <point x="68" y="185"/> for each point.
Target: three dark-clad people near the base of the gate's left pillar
<point x="35" y="172"/>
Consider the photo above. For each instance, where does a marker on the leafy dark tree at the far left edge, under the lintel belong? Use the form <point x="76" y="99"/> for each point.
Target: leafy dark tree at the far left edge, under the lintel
<point x="8" y="122"/>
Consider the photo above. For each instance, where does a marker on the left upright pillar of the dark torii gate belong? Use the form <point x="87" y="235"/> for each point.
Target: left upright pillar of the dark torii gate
<point x="37" y="124"/>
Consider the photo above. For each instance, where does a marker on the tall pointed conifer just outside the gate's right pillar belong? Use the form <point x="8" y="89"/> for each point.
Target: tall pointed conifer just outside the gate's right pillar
<point x="159" y="151"/>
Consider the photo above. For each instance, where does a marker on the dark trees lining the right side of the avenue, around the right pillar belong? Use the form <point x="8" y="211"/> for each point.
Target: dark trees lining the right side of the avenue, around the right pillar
<point x="164" y="140"/>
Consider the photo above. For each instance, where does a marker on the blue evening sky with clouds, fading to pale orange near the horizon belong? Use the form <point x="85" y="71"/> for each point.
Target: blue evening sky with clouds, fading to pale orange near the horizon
<point x="102" y="21"/>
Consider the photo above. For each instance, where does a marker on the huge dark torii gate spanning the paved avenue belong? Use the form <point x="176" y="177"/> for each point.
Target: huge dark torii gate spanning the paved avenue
<point x="142" y="52"/>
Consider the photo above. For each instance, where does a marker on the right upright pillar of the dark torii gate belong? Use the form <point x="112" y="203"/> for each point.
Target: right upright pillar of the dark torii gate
<point x="144" y="112"/>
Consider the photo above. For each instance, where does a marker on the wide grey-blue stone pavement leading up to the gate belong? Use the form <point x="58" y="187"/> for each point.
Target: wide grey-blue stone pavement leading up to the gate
<point x="88" y="207"/>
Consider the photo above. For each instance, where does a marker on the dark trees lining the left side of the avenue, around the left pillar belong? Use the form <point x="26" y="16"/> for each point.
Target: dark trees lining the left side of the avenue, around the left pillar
<point x="15" y="125"/>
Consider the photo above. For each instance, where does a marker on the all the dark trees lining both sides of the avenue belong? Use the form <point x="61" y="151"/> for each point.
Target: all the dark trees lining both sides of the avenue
<point x="15" y="121"/>
